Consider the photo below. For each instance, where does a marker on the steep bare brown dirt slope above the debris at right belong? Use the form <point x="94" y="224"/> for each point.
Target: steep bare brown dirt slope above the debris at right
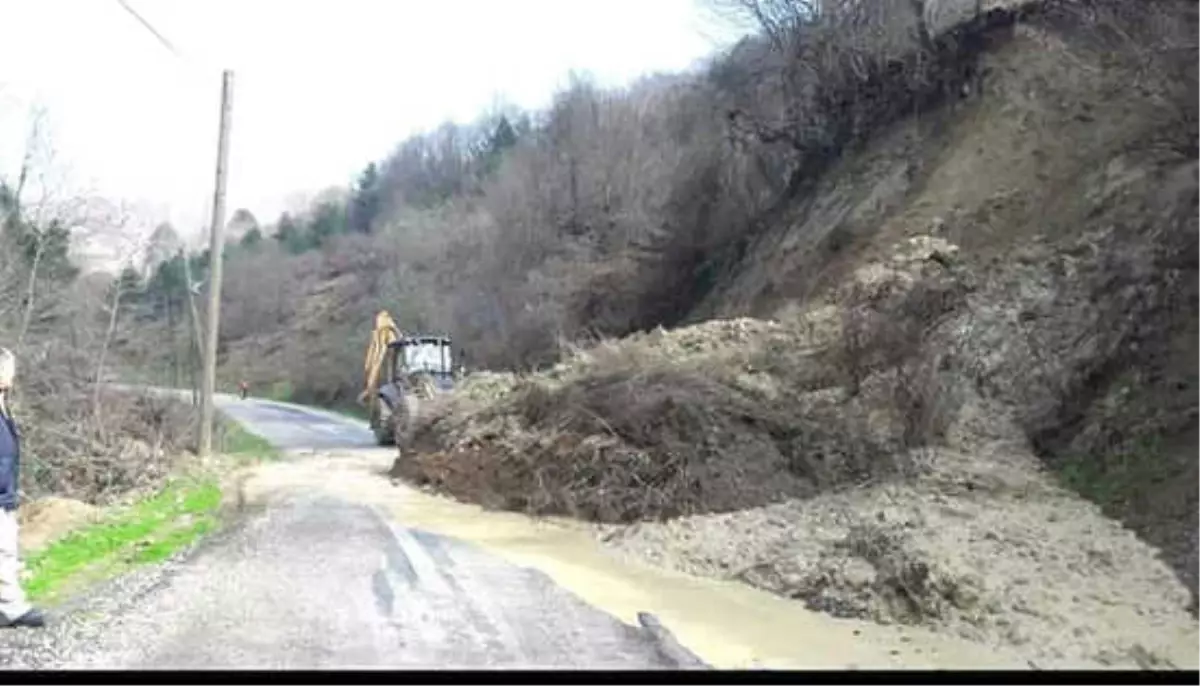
<point x="1071" y="190"/>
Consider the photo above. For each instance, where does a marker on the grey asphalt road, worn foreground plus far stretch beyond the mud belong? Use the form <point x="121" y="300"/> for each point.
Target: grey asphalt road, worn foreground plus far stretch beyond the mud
<point x="313" y="581"/>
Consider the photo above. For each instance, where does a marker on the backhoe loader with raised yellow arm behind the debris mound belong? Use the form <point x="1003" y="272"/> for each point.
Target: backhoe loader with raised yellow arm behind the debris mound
<point x="400" y="374"/>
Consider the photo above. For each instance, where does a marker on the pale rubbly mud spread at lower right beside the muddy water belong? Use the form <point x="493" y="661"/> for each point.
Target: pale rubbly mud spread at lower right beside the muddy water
<point x="1009" y="561"/>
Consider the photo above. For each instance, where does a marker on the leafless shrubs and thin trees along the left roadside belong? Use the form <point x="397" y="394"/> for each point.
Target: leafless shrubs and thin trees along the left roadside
<point x="77" y="442"/>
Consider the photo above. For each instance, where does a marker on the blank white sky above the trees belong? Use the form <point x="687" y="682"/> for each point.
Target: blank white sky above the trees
<point x="322" y="87"/>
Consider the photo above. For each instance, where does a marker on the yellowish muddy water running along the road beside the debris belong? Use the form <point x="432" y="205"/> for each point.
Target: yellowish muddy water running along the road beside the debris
<point x="729" y="625"/>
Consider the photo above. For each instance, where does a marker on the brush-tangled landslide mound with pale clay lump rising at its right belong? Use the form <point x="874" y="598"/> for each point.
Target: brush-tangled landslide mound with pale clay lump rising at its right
<point x="713" y="418"/>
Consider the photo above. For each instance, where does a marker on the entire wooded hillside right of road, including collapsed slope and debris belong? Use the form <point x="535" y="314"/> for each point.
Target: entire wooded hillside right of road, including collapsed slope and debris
<point x="929" y="290"/>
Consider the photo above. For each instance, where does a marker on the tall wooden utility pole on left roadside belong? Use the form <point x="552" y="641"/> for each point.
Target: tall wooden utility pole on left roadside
<point x="217" y="246"/>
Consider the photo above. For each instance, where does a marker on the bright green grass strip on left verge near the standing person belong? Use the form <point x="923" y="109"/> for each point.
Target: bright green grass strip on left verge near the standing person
<point x="148" y="532"/>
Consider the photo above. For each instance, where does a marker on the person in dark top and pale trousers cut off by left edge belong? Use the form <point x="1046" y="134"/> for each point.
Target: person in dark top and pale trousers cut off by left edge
<point x="14" y="609"/>
